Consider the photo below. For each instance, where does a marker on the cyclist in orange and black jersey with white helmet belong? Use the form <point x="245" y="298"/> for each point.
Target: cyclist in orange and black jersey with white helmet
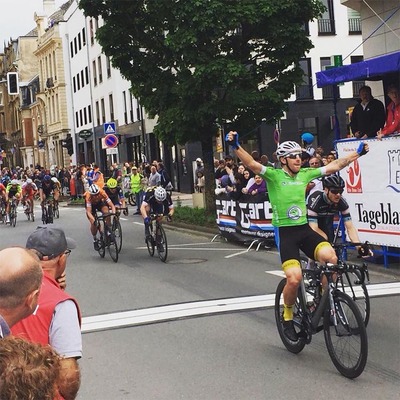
<point x="96" y="199"/>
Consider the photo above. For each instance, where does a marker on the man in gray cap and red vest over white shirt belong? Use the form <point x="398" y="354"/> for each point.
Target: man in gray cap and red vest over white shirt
<point x="57" y="320"/>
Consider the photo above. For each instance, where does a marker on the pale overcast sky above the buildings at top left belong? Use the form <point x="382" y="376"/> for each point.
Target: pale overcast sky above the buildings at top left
<point x="16" y="17"/>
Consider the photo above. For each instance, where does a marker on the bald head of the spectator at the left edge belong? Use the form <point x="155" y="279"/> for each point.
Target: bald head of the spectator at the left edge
<point x="20" y="281"/>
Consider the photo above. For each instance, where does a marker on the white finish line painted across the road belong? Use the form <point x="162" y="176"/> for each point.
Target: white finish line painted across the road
<point x="172" y="312"/>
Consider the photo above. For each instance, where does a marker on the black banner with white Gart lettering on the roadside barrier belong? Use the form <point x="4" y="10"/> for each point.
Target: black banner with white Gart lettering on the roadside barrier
<point x="248" y="218"/>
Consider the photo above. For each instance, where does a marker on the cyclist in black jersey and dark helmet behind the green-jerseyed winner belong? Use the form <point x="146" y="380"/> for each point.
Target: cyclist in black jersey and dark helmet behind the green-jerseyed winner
<point x="322" y="206"/>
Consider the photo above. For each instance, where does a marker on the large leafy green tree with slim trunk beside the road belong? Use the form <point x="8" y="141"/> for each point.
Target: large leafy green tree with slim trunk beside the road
<point x="198" y="63"/>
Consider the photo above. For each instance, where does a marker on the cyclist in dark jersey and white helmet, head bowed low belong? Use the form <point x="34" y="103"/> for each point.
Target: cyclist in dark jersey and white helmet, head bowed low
<point x="156" y="201"/>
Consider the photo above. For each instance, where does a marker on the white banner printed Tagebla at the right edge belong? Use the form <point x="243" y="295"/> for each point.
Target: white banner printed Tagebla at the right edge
<point x="373" y="189"/>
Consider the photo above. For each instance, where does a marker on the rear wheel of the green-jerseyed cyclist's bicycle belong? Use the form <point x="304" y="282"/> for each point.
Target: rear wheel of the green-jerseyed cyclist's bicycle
<point x="293" y="347"/>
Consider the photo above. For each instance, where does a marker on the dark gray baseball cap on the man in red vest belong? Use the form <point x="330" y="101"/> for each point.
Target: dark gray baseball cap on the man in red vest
<point x="49" y="241"/>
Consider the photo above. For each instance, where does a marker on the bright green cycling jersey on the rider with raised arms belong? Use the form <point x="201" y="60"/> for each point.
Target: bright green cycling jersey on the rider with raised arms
<point x="287" y="194"/>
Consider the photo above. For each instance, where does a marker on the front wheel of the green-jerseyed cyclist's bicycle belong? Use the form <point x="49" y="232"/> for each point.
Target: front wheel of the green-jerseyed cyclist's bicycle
<point x="346" y="341"/>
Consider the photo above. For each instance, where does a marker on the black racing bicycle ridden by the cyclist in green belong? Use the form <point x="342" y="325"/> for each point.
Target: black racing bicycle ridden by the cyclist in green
<point x="330" y="310"/>
